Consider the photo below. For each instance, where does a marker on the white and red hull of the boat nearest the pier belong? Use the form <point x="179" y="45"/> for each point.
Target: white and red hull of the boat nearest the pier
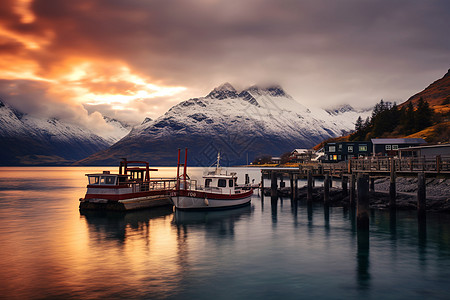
<point x="195" y="200"/>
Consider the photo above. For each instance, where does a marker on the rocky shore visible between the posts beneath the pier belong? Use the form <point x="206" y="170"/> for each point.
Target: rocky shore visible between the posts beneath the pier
<point x="438" y="194"/>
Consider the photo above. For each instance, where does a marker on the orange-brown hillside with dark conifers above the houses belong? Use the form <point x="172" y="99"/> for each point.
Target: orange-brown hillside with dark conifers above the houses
<point x="425" y="115"/>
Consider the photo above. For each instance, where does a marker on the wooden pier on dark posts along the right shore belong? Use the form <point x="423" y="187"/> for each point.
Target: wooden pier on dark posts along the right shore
<point x="357" y="178"/>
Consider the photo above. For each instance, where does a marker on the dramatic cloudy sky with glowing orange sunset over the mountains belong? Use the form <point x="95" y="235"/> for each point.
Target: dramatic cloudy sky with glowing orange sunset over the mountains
<point x="78" y="60"/>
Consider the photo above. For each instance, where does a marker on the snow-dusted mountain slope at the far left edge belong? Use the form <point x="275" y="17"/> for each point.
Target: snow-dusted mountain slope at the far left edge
<point x="30" y="140"/>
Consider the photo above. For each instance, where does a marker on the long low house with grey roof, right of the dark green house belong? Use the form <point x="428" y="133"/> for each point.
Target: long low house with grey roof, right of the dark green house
<point x="390" y="147"/>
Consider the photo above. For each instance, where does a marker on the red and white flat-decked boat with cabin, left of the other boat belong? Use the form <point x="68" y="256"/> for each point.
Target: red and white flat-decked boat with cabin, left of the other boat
<point x="130" y="189"/>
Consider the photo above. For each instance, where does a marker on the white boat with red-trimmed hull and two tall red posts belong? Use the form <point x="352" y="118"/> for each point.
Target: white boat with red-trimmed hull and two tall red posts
<point x="219" y="190"/>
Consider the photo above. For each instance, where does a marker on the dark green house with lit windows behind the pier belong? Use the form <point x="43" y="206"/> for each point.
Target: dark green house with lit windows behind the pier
<point x="342" y="151"/>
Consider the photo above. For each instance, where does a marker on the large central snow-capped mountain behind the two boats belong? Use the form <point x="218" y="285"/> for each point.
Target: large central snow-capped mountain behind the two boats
<point x="242" y="124"/>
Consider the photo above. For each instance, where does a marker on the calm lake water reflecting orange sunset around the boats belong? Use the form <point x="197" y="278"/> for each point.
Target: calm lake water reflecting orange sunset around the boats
<point x="268" y="250"/>
